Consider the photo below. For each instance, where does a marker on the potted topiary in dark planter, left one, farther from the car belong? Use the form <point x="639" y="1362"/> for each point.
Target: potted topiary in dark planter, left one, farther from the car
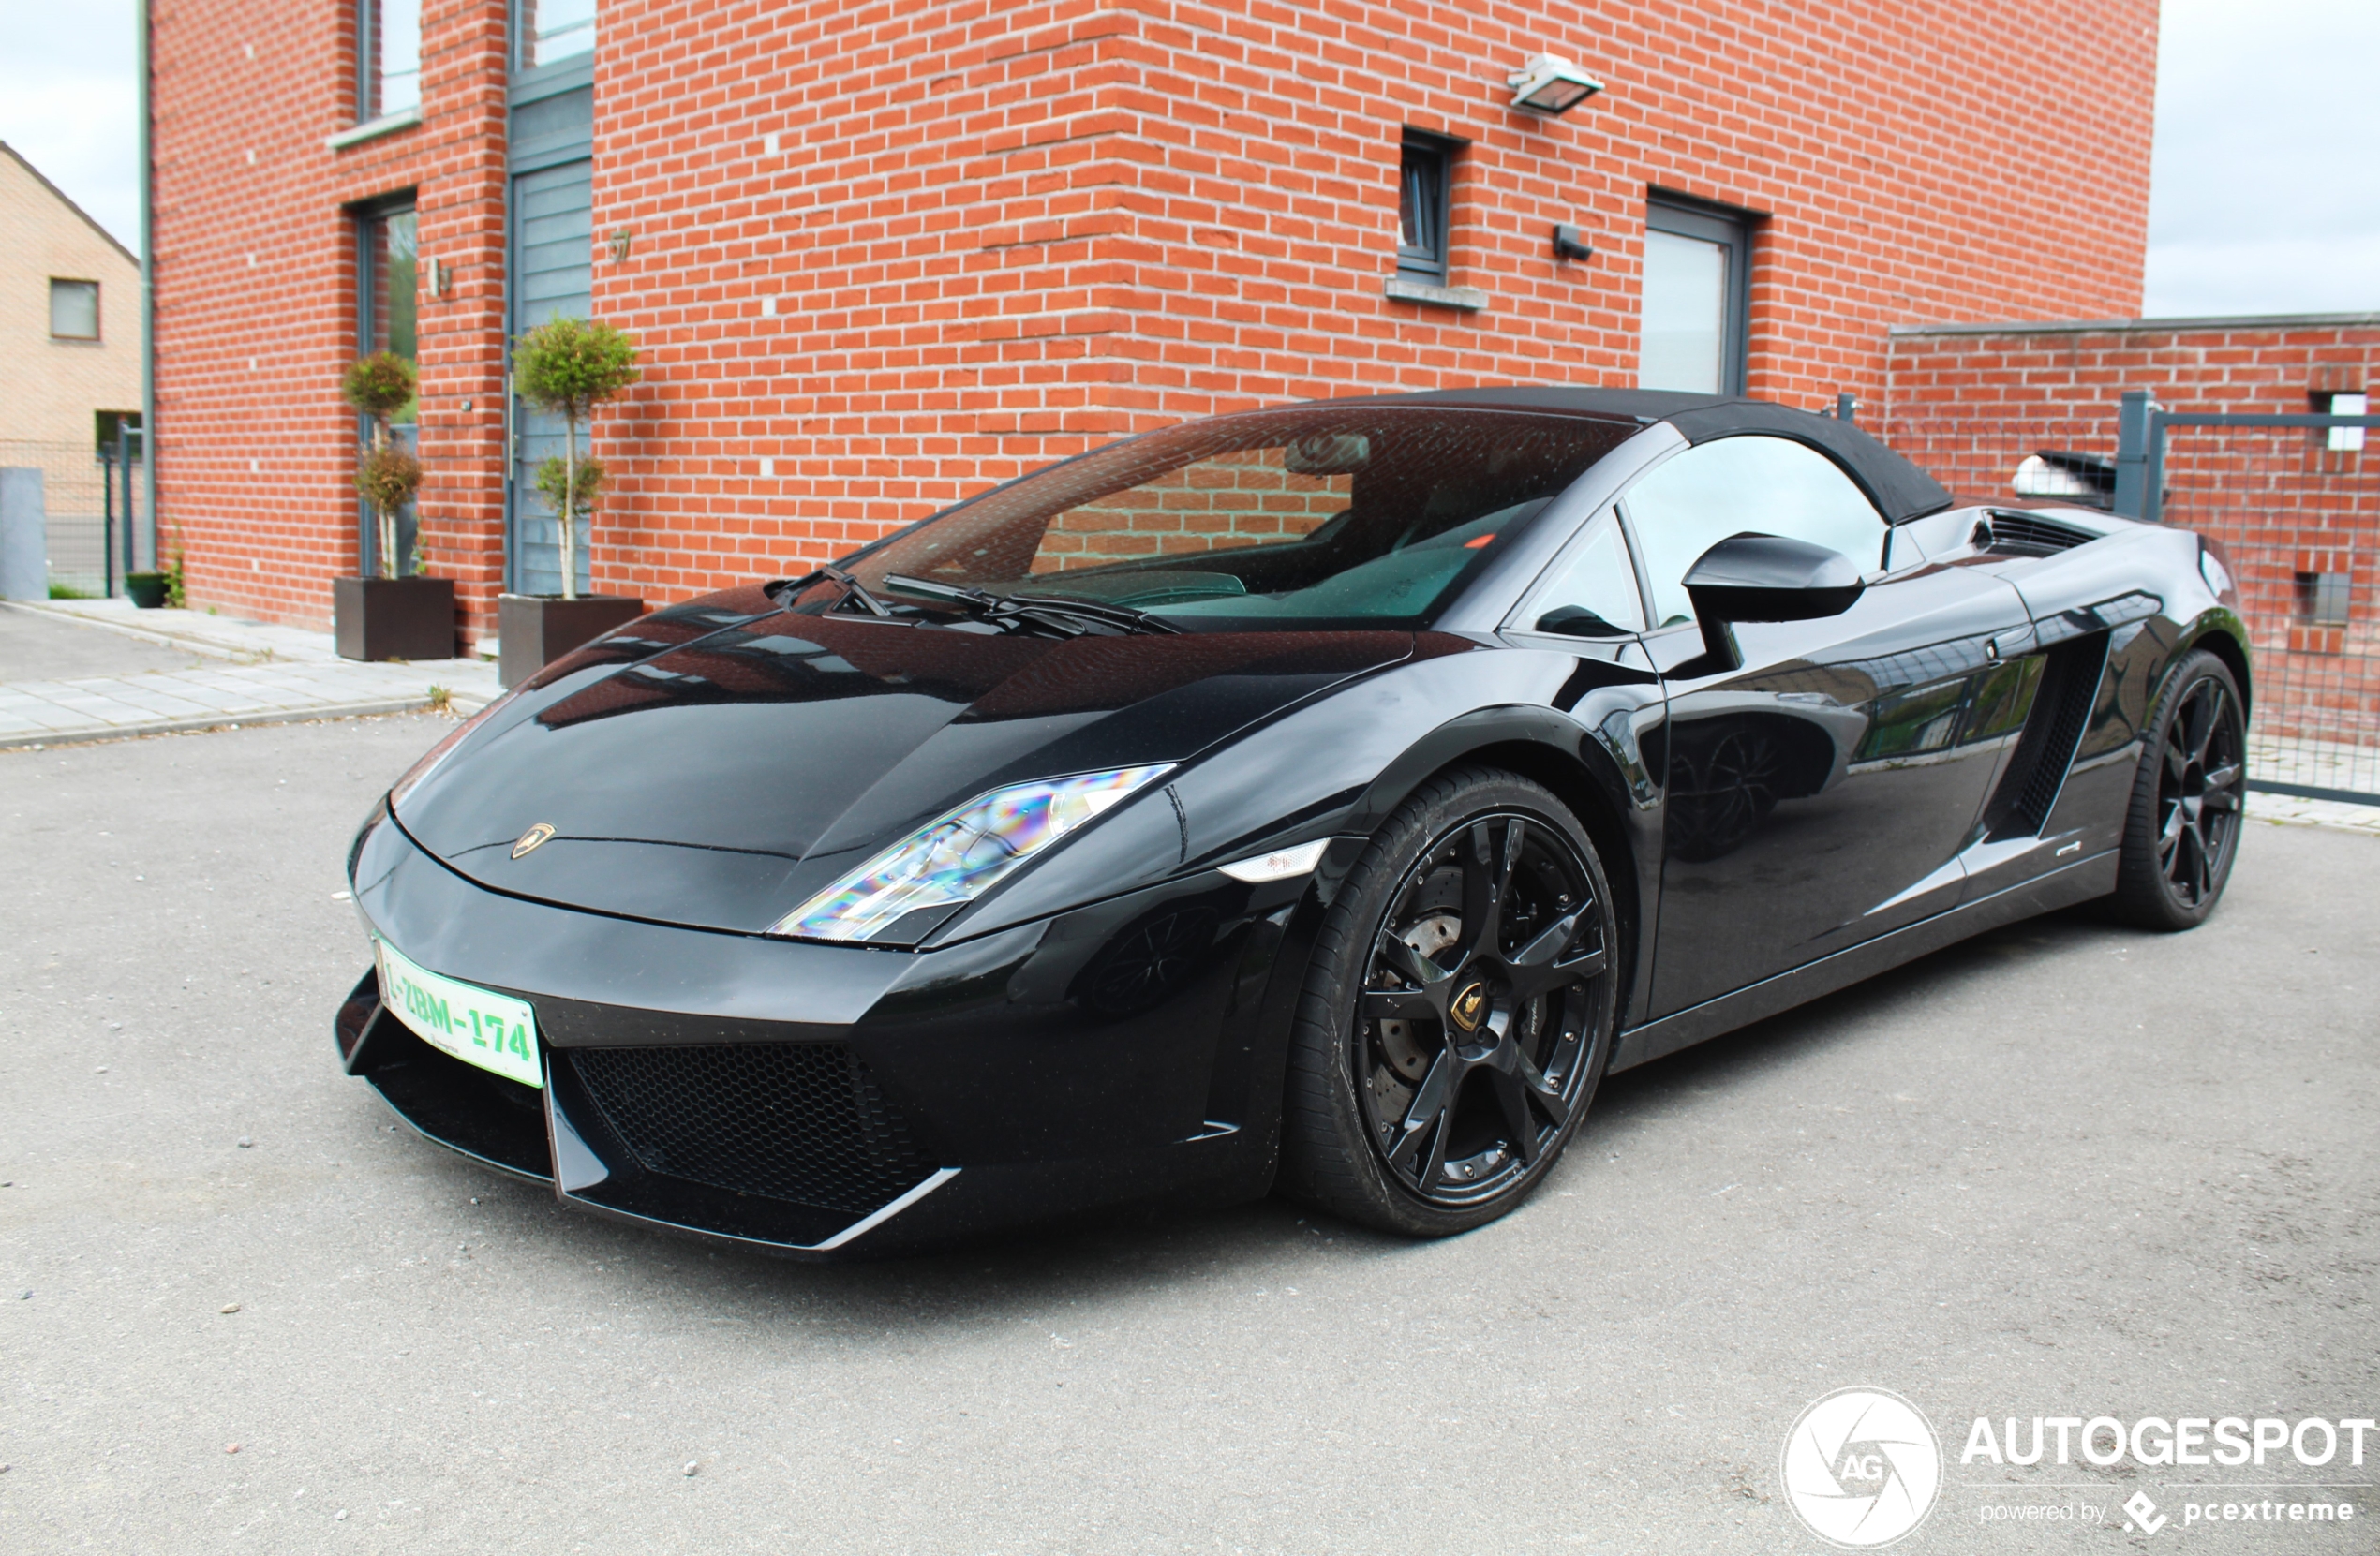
<point x="392" y="615"/>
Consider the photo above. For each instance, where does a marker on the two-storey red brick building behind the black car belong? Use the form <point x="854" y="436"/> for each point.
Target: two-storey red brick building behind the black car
<point x="884" y="256"/>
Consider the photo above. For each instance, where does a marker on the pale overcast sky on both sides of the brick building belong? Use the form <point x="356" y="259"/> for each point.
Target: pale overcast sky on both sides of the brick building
<point x="2267" y="192"/>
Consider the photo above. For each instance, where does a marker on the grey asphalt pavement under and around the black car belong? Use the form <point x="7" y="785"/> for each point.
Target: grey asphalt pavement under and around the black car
<point x="2065" y="1169"/>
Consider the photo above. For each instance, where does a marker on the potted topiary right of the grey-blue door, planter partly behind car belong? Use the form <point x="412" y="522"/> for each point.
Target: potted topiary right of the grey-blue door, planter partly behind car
<point x="565" y="368"/>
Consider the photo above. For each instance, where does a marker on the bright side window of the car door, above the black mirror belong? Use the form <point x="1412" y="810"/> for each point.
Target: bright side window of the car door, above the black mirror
<point x="1722" y="489"/>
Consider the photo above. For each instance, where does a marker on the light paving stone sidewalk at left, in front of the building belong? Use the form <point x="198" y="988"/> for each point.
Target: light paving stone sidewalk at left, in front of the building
<point x="251" y="675"/>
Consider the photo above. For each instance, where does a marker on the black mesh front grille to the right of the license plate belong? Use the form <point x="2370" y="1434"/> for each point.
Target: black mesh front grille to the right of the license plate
<point x="796" y="1122"/>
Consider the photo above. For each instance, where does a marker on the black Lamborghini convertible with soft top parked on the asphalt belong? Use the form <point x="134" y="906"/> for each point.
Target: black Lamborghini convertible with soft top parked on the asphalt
<point x="1317" y="798"/>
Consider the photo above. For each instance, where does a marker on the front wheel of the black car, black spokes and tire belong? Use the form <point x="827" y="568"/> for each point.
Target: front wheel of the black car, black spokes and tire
<point x="1434" y="1077"/>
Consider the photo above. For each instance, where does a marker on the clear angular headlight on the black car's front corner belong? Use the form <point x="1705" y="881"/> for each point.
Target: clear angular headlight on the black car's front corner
<point x="963" y="855"/>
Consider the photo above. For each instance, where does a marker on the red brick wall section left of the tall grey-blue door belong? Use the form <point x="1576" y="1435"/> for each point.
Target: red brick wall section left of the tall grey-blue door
<point x="256" y="294"/>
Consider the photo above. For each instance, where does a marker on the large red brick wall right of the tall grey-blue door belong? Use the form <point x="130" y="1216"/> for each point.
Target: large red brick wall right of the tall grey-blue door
<point x="889" y="256"/>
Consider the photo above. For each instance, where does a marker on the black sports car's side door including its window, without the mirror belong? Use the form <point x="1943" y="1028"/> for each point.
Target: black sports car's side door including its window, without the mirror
<point x="1822" y="786"/>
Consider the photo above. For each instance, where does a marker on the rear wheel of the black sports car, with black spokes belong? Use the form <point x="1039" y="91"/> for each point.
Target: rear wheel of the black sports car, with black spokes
<point x="2181" y="829"/>
